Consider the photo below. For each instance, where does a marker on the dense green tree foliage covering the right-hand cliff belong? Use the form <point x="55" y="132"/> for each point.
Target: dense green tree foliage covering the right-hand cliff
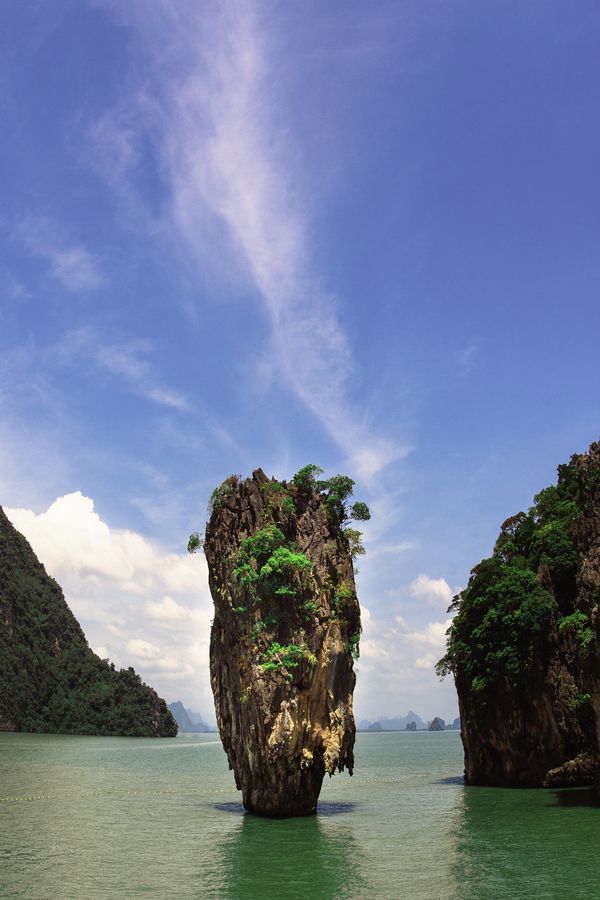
<point x="504" y="613"/>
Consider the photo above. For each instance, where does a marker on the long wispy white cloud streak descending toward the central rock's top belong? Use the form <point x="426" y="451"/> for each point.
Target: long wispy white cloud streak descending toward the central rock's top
<point x="221" y="132"/>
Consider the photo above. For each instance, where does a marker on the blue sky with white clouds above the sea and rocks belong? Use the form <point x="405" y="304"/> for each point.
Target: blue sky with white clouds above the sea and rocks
<point x="243" y="234"/>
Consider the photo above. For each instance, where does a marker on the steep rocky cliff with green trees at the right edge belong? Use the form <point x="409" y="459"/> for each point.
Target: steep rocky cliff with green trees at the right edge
<point x="524" y="646"/>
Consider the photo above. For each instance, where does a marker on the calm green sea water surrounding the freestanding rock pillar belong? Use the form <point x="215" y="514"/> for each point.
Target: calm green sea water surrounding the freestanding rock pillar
<point x="88" y="817"/>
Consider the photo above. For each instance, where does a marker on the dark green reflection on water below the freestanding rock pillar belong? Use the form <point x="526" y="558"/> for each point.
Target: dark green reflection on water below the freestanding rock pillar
<point x="291" y="858"/>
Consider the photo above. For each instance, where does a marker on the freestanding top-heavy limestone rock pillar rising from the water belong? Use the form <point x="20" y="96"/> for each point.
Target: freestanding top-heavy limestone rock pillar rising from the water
<point x="286" y="626"/>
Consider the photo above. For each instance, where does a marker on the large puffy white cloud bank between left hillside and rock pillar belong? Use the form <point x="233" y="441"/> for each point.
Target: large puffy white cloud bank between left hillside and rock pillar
<point x="138" y="603"/>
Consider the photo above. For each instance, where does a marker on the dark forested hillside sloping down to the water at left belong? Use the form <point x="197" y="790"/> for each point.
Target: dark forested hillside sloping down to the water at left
<point x="51" y="681"/>
